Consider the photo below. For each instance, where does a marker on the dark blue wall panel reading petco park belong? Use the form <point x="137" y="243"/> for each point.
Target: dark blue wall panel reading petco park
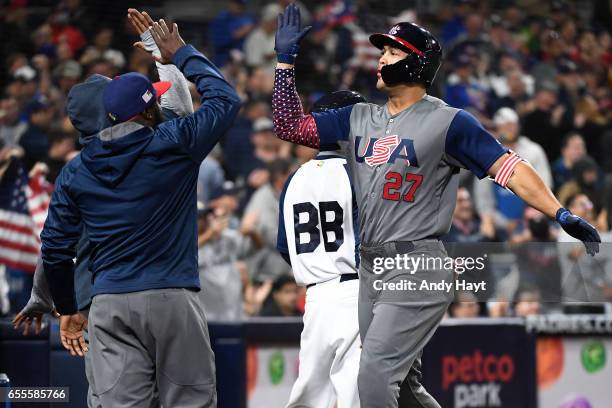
<point x="481" y="364"/>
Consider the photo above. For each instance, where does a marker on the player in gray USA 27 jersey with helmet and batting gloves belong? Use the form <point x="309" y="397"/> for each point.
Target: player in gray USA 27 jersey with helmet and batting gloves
<point x="404" y="157"/>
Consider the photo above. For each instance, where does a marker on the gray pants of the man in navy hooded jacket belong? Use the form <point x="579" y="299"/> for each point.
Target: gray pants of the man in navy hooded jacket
<point x="155" y="339"/>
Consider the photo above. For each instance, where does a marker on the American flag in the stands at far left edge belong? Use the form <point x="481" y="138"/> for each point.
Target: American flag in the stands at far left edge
<point x="23" y="209"/>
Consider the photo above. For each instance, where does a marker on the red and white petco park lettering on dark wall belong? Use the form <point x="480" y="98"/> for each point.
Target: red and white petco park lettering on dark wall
<point x="477" y="379"/>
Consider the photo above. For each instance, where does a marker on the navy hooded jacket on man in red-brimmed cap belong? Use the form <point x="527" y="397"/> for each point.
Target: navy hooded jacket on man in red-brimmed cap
<point x="134" y="187"/>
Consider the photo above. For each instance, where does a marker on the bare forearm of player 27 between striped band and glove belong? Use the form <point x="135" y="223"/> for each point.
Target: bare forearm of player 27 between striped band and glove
<point x="529" y="186"/>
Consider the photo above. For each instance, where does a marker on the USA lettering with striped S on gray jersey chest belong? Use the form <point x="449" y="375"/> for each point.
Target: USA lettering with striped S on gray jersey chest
<point x="386" y="150"/>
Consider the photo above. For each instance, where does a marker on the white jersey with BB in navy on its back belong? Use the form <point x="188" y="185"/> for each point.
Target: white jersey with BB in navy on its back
<point x="318" y="224"/>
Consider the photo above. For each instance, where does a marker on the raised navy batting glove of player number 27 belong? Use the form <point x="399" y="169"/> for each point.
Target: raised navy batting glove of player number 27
<point x="289" y="34"/>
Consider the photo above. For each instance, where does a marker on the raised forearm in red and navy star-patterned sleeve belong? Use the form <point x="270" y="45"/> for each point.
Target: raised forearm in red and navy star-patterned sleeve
<point x="290" y="123"/>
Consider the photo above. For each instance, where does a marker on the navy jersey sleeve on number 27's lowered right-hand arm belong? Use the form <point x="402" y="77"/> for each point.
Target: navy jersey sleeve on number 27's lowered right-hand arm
<point x="471" y="145"/>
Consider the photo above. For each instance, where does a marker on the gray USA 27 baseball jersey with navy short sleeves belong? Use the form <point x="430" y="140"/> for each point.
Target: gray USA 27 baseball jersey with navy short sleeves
<point x="405" y="166"/>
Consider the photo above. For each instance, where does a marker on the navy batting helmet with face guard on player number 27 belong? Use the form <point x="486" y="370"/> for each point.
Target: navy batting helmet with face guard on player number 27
<point x="424" y="54"/>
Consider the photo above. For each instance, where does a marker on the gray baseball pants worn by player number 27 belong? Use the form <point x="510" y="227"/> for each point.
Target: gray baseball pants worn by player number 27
<point x="395" y="324"/>
